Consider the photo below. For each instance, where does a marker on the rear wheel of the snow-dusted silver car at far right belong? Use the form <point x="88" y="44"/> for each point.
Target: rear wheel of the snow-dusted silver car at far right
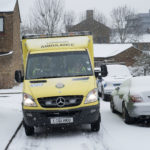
<point x="127" y="119"/>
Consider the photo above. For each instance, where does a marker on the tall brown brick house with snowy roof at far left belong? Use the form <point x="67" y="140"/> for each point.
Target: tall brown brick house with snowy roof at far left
<point x="10" y="47"/>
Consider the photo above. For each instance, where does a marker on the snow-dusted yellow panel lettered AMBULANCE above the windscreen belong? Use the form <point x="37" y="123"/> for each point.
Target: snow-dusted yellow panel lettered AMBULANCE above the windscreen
<point x="57" y="43"/>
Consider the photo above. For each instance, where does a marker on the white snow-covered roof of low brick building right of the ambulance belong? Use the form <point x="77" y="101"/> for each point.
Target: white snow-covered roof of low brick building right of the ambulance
<point x="109" y="50"/>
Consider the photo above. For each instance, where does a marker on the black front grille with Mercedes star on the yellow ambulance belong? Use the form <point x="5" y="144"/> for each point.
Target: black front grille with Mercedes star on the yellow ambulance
<point x="55" y="102"/>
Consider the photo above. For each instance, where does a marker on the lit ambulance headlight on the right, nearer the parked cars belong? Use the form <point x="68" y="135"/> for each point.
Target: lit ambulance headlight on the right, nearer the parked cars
<point x="92" y="96"/>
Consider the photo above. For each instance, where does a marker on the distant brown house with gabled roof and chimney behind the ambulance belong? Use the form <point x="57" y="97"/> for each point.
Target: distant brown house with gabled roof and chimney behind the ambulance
<point x="101" y="33"/>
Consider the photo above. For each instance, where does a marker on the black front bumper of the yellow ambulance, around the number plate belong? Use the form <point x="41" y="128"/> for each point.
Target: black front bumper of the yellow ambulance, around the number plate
<point x="84" y="115"/>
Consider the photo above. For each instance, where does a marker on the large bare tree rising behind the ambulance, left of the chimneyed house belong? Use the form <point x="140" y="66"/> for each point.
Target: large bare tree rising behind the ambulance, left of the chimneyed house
<point x="46" y="16"/>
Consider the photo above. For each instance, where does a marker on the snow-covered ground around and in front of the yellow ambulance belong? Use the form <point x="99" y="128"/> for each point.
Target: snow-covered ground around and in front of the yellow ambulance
<point x="113" y="135"/>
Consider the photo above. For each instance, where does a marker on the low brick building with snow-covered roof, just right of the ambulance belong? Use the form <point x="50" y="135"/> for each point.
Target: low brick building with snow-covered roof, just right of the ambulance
<point x="116" y="53"/>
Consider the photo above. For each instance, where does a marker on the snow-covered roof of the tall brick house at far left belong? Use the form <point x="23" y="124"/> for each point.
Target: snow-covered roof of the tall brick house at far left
<point x="7" y="5"/>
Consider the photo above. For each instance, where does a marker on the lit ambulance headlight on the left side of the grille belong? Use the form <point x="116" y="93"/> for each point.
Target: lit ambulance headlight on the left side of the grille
<point x="28" y="100"/>
